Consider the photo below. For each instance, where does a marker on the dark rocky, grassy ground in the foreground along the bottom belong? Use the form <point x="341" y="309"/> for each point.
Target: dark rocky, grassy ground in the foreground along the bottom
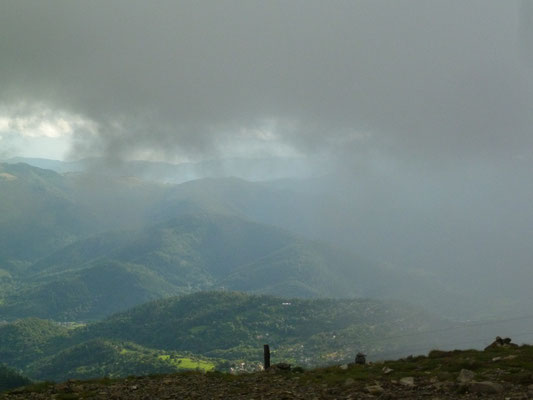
<point x="496" y="373"/>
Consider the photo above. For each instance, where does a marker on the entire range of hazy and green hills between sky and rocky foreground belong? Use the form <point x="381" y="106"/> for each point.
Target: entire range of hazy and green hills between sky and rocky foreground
<point x="91" y="264"/>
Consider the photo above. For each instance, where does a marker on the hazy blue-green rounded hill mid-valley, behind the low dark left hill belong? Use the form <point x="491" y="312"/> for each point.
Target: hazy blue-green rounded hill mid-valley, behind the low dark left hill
<point x="187" y="250"/>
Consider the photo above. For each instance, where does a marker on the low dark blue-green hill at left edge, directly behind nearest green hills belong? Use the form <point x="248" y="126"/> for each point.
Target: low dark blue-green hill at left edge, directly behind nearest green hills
<point x="93" y="292"/>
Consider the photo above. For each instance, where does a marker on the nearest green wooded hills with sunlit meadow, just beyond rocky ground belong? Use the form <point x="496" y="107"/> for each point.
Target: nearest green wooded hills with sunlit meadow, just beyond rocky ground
<point x="211" y="329"/>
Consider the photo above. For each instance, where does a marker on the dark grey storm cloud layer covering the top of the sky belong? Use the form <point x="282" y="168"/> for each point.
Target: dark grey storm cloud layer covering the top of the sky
<point x="418" y="78"/>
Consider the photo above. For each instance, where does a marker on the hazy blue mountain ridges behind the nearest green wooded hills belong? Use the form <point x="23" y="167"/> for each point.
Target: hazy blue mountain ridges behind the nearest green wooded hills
<point x="67" y="237"/>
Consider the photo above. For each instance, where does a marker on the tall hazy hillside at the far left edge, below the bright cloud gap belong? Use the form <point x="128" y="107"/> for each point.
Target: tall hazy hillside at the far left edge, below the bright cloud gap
<point x="37" y="215"/>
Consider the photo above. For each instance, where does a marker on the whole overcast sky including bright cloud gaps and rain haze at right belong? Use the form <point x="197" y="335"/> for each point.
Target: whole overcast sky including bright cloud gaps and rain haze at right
<point x="422" y="109"/>
